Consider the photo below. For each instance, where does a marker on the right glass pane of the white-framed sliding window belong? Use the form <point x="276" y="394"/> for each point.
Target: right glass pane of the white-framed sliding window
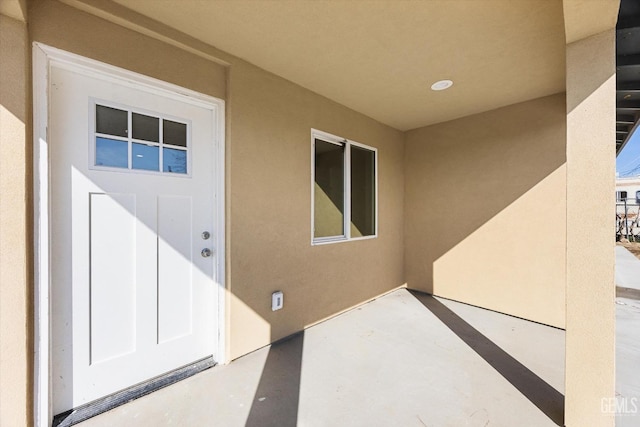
<point x="363" y="192"/>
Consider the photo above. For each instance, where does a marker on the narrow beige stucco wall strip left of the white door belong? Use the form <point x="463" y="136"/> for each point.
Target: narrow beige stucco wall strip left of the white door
<point x="15" y="335"/>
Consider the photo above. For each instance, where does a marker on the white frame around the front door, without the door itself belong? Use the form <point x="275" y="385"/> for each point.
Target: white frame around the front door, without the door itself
<point x="44" y="57"/>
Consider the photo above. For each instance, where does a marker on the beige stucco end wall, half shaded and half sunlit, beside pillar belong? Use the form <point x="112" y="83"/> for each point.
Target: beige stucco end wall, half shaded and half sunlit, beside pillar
<point x="485" y="210"/>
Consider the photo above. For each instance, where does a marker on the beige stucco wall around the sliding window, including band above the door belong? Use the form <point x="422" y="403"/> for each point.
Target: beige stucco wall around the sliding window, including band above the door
<point x="269" y="123"/>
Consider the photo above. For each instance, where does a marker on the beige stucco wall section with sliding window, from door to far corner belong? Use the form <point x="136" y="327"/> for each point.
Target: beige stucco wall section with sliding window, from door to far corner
<point x="270" y="202"/>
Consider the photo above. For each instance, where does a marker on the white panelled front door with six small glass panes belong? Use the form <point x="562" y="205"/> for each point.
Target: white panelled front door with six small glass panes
<point x="132" y="188"/>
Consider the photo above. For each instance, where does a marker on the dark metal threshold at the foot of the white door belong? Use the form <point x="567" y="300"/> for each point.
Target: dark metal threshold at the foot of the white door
<point x="91" y="409"/>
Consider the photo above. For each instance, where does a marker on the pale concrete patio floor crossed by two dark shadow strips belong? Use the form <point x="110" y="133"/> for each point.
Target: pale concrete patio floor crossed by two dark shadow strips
<point x="404" y="359"/>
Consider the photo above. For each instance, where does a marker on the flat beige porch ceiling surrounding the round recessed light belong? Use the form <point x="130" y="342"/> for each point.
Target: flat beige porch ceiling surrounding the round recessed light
<point x="380" y="57"/>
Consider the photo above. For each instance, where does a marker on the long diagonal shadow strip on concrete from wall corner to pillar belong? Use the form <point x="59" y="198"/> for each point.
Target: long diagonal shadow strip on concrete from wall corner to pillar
<point x="534" y="388"/>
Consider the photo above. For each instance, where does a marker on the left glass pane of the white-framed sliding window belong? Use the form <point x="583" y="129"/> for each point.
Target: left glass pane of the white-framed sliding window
<point x="328" y="189"/>
